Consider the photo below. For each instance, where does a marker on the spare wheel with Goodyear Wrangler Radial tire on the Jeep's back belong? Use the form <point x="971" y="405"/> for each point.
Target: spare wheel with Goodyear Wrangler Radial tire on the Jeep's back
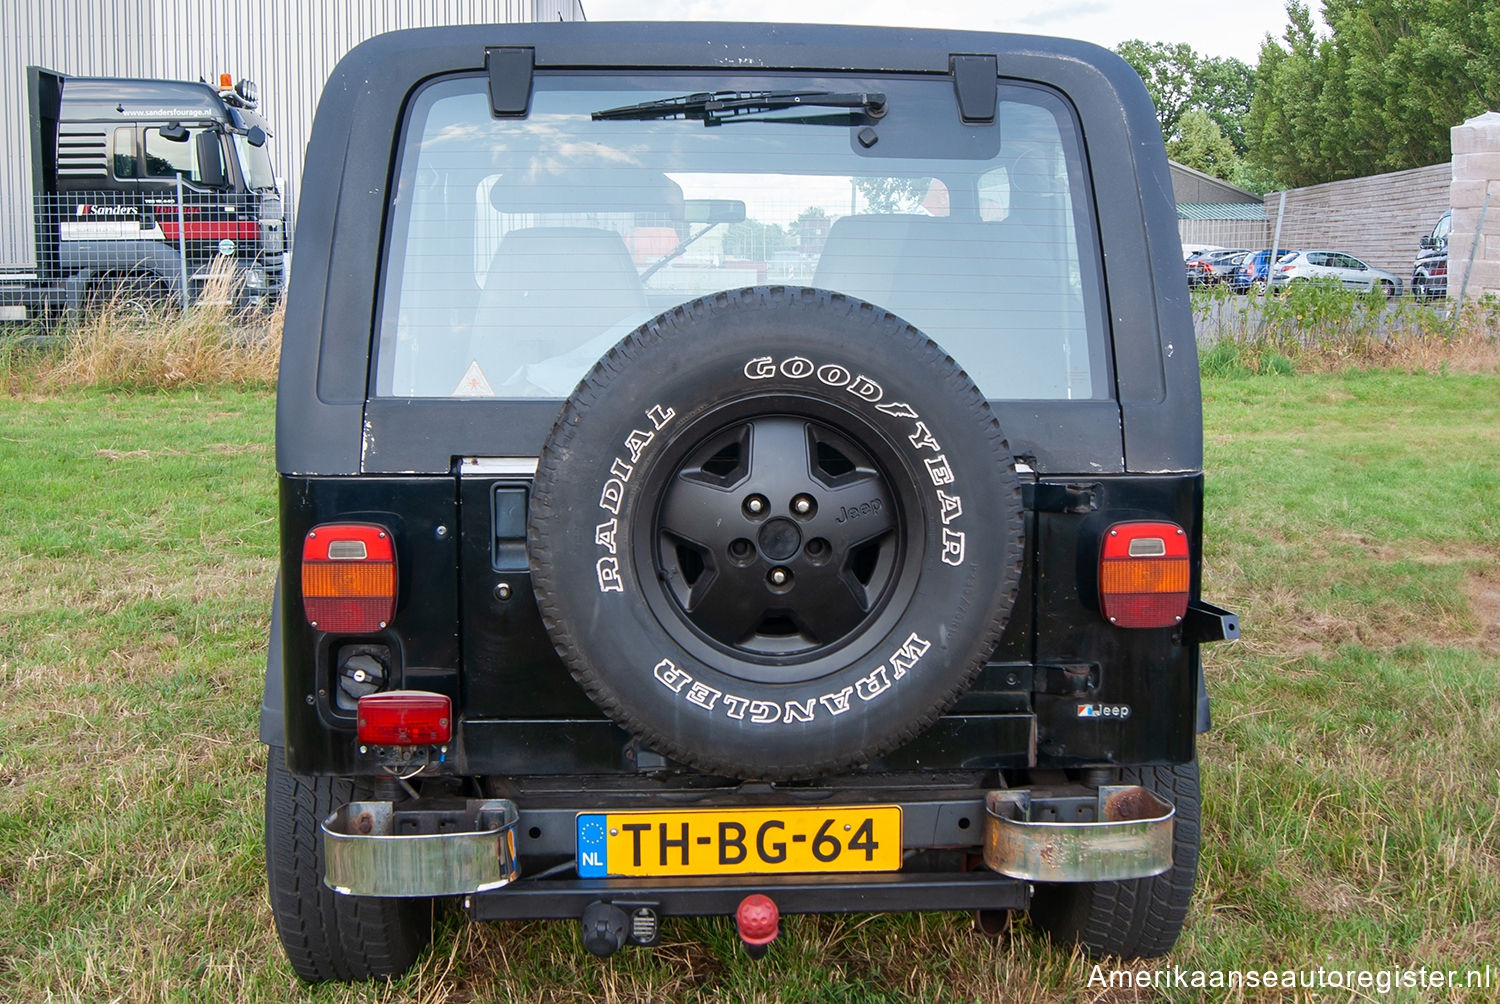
<point x="776" y="532"/>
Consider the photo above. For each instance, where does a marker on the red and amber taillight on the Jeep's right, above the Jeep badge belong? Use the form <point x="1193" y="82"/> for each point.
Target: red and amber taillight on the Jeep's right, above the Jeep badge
<point x="1145" y="574"/>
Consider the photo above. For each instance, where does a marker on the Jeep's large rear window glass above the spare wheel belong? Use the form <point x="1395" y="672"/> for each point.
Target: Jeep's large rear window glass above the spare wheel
<point x="521" y="250"/>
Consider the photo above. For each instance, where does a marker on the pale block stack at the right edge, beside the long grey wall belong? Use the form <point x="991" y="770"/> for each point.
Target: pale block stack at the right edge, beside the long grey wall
<point x="1475" y="173"/>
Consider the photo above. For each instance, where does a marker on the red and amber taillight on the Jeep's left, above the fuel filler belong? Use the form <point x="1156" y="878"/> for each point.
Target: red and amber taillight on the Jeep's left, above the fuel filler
<point x="349" y="579"/>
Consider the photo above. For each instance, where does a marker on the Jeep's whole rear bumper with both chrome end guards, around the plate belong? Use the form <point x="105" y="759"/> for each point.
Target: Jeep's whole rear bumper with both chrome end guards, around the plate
<point x="1069" y="835"/>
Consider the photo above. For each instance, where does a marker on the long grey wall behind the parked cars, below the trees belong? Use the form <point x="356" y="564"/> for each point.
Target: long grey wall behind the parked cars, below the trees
<point x="1379" y="218"/>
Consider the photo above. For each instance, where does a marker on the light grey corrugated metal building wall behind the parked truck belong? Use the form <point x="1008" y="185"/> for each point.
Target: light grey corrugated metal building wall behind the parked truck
<point x="289" y="47"/>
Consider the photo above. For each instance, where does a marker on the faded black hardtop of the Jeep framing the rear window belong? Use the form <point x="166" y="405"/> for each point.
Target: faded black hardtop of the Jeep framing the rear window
<point x="1156" y="421"/>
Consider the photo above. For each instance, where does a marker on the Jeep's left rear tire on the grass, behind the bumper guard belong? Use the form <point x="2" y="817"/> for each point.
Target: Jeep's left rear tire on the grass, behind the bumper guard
<point x="329" y="936"/>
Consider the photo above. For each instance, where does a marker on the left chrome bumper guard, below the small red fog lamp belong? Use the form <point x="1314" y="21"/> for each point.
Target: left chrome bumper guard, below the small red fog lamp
<point x="470" y="850"/>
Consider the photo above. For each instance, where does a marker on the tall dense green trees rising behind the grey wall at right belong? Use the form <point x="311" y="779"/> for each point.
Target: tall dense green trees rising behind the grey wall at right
<point x="1378" y="92"/>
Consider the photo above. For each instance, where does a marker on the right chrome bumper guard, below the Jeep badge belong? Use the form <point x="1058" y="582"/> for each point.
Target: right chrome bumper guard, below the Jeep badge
<point x="1129" y="838"/>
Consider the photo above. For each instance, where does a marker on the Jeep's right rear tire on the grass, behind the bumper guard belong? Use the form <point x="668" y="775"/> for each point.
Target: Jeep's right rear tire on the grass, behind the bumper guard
<point x="1138" y="919"/>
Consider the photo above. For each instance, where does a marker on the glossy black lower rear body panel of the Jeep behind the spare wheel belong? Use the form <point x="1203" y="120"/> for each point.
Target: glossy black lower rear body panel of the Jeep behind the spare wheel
<point x="467" y="625"/>
